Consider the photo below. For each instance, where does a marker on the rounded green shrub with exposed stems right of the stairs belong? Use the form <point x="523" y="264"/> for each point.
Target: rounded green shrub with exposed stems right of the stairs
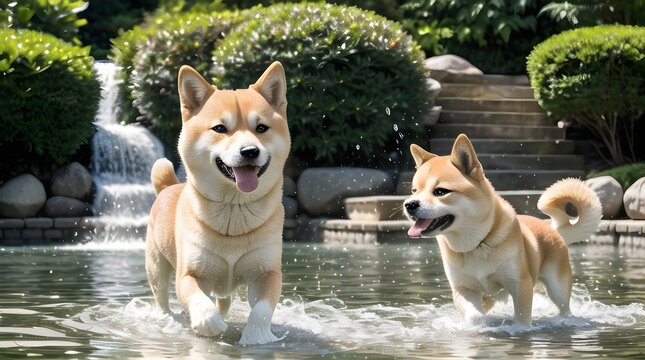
<point x="594" y="77"/>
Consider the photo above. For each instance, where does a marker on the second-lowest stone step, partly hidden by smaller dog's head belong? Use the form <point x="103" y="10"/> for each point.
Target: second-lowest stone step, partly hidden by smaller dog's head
<point x="508" y="179"/>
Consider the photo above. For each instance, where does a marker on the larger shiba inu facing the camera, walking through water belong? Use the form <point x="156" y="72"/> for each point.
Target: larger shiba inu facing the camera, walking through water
<point x="223" y="227"/>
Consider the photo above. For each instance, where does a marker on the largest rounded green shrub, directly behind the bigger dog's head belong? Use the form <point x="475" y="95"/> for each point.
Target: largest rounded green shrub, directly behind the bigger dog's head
<point x="355" y="80"/>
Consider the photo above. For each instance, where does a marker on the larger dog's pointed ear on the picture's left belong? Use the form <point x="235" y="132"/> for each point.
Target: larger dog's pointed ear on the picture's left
<point x="194" y="90"/>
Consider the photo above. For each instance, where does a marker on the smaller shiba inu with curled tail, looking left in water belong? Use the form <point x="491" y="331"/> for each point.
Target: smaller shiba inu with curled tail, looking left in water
<point x="485" y="247"/>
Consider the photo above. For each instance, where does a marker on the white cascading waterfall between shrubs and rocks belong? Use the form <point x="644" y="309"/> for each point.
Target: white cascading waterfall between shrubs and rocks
<point x="122" y="156"/>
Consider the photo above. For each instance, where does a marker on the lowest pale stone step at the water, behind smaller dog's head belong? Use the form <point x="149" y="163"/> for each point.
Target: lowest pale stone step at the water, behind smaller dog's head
<point x="390" y="207"/>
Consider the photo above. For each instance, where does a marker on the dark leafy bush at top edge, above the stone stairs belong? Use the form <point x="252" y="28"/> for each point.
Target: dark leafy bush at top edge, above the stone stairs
<point x="495" y="36"/>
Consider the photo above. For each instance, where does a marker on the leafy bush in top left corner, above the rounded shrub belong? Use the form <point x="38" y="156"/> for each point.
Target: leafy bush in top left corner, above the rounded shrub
<point x="56" y="17"/>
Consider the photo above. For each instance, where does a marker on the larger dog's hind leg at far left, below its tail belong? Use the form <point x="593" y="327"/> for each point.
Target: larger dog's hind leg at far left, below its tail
<point x="159" y="271"/>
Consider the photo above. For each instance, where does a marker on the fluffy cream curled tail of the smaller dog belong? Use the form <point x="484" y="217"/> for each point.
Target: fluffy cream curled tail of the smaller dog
<point x="574" y="208"/>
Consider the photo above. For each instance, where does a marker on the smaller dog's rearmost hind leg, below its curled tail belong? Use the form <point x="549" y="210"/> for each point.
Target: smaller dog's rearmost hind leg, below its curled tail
<point x="557" y="278"/>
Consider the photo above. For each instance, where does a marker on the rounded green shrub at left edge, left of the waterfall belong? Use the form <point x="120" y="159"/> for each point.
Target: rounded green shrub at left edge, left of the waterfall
<point x="51" y="97"/>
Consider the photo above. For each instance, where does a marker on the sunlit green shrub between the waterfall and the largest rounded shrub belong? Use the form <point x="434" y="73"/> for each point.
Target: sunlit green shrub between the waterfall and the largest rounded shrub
<point x="188" y="39"/>
